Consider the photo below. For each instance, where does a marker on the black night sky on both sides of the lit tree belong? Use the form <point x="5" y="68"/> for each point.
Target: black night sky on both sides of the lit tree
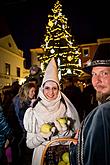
<point x="27" y="19"/>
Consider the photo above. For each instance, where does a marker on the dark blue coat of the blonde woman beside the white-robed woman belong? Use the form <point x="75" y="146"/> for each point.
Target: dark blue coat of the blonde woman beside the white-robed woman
<point x="25" y="154"/>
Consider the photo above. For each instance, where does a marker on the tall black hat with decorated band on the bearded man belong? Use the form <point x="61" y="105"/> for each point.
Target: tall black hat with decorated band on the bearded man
<point x="101" y="57"/>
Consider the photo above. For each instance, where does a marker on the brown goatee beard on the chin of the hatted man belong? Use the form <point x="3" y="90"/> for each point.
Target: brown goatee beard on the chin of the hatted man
<point x="101" y="97"/>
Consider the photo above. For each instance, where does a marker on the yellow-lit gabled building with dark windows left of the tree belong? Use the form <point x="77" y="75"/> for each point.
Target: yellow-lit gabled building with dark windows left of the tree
<point x="11" y="62"/>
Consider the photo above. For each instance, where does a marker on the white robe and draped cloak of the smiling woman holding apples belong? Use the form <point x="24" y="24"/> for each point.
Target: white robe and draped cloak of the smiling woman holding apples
<point x="46" y="112"/>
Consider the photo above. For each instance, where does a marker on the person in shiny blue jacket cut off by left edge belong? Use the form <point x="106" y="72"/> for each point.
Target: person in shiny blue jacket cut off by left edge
<point x="6" y="137"/>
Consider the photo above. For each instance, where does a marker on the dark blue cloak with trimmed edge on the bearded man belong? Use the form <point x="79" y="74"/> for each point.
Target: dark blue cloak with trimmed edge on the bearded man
<point x="94" y="138"/>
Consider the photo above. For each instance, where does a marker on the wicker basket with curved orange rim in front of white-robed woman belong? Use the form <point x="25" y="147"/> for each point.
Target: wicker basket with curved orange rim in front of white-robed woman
<point x="54" y="150"/>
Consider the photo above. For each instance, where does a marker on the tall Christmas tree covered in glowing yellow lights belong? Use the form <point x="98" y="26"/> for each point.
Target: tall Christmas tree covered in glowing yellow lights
<point x="58" y="42"/>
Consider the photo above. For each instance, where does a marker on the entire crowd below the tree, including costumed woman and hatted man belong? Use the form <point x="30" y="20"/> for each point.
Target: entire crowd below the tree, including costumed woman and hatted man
<point x="42" y="101"/>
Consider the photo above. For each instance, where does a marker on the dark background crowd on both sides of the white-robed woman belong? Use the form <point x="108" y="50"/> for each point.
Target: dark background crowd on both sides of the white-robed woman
<point x="15" y="100"/>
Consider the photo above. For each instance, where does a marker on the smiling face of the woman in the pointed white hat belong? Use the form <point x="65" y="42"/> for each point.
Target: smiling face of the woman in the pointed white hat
<point x="50" y="90"/>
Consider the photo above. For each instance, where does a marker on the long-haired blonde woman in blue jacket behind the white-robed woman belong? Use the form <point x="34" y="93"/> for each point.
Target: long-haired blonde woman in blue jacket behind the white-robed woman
<point x="25" y="96"/>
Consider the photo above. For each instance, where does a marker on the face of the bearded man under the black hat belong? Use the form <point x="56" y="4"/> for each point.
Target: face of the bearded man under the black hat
<point x="101" y="82"/>
